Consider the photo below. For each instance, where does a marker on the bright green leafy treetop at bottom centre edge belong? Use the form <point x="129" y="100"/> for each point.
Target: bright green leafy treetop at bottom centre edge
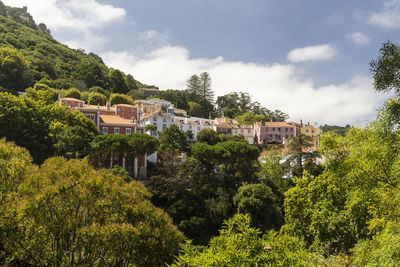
<point x="241" y="245"/>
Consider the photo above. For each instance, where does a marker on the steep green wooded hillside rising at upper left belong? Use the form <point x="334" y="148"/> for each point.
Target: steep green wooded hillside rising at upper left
<point x="29" y="54"/>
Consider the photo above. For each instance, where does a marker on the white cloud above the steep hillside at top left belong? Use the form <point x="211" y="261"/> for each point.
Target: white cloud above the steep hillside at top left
<point x="74" y="19"/>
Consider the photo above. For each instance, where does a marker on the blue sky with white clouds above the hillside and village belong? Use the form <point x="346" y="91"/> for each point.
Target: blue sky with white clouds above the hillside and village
<point x="307" y="58"/>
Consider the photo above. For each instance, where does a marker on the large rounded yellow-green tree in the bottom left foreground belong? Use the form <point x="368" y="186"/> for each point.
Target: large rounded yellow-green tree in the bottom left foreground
<point x="70" y="214"/>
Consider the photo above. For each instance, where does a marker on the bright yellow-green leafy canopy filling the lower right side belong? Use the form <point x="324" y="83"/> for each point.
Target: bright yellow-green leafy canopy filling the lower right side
<point x="357" y="193"/>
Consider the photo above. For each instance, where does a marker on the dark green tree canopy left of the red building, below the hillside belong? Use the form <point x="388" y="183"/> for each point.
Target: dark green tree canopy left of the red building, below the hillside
<point x="33" y="121"/>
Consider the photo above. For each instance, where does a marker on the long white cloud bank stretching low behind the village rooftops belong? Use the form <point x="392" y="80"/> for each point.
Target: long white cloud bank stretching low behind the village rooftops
<point x="275" y="86"/>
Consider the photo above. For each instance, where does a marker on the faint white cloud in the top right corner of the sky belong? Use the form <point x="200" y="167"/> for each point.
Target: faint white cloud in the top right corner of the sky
<point x="389" y="17"/>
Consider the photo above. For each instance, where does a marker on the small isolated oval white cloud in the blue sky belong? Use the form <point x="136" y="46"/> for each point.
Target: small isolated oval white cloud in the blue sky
<point x="312" y="53"/>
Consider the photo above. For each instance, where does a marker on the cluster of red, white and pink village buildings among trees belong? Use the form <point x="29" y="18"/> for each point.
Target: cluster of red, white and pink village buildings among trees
<point x="128" y="119"/>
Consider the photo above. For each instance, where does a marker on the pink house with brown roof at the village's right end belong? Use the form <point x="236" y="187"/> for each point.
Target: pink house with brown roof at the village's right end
<point x="275" y="132"/>
